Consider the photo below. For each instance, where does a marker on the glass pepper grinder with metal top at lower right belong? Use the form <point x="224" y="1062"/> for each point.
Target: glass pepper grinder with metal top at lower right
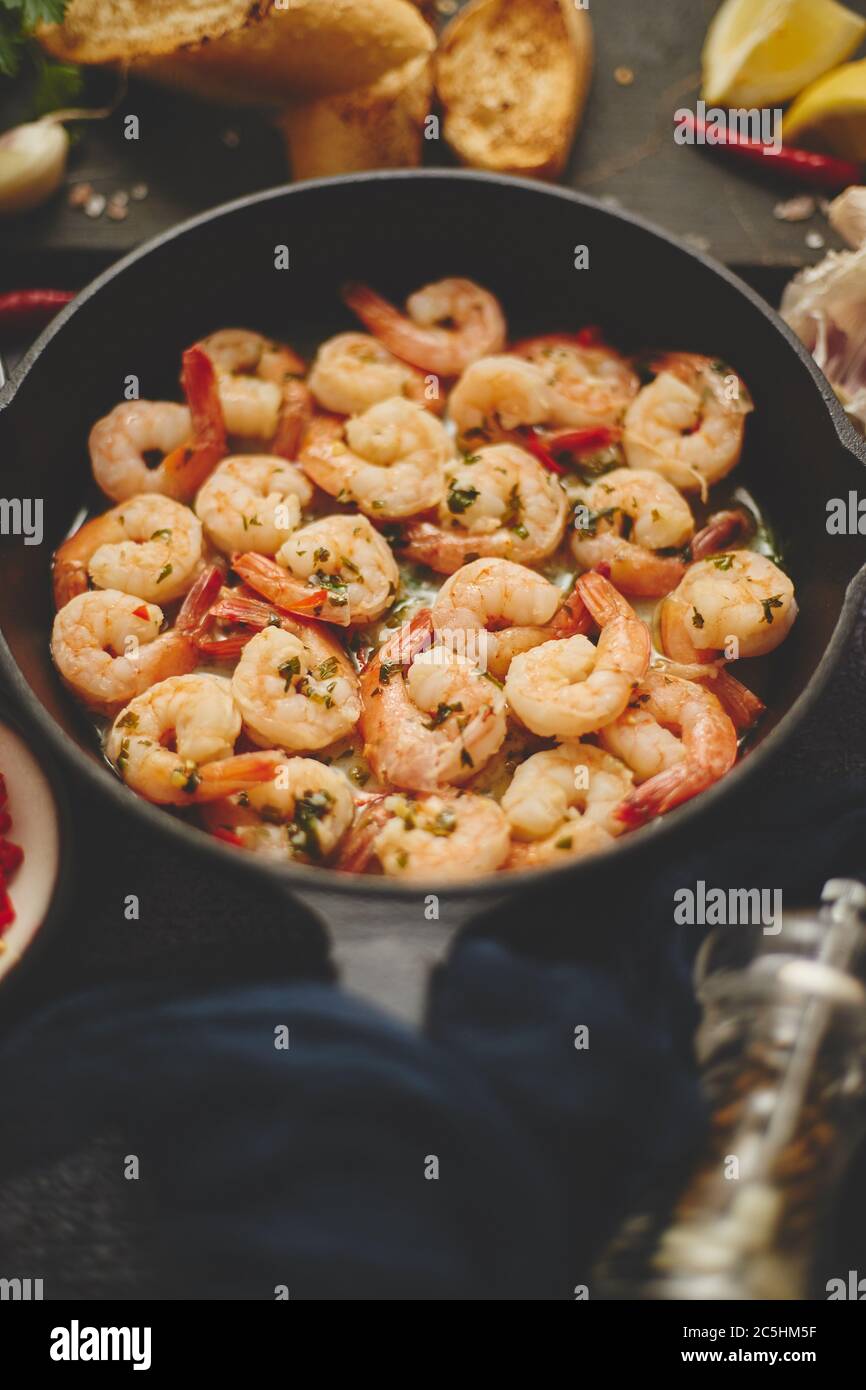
<point x="783" y="1057"/>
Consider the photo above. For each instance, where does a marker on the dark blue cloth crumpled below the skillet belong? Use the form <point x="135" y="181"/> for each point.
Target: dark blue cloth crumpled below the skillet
<point x="307" y="1168"/>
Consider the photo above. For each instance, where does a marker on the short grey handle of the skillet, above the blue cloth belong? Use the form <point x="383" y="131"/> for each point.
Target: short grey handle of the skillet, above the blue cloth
<point x="386" y="947"/>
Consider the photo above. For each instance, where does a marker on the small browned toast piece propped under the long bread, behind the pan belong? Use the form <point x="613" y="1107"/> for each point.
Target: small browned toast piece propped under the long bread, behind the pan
<point x="375" y="127"/>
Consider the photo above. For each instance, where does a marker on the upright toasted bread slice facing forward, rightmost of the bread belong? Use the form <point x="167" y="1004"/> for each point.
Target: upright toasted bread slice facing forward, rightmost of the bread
<point x="514" y="80"/>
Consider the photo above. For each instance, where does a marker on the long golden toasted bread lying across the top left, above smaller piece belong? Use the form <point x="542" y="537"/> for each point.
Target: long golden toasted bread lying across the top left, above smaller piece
<point x="243" y="54"/>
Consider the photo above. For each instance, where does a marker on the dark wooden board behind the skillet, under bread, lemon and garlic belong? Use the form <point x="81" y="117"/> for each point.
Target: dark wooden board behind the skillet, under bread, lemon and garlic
<point x="194" y="158"/>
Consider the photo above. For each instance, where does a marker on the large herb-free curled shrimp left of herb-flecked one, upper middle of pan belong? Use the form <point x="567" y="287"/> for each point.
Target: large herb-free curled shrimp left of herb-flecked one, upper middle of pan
<point x="389" y="462"/>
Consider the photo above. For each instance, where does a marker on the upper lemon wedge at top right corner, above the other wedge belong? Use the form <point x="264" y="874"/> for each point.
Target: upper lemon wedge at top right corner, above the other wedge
<point x="764" y="52"/>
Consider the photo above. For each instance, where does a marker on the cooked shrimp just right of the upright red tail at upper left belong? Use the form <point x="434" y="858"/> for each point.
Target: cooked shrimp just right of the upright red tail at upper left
<point x="262" y="391"/>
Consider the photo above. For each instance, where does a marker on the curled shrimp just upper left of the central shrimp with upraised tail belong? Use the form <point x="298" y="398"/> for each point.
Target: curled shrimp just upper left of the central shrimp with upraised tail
<point x="493" y="610"/>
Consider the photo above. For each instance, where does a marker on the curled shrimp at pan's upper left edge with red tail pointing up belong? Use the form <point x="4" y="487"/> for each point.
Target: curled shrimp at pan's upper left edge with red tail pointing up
<point x="191" y="439"/>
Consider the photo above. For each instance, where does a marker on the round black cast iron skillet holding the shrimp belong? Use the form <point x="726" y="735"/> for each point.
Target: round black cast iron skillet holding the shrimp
<point x="398" y="231"/>
